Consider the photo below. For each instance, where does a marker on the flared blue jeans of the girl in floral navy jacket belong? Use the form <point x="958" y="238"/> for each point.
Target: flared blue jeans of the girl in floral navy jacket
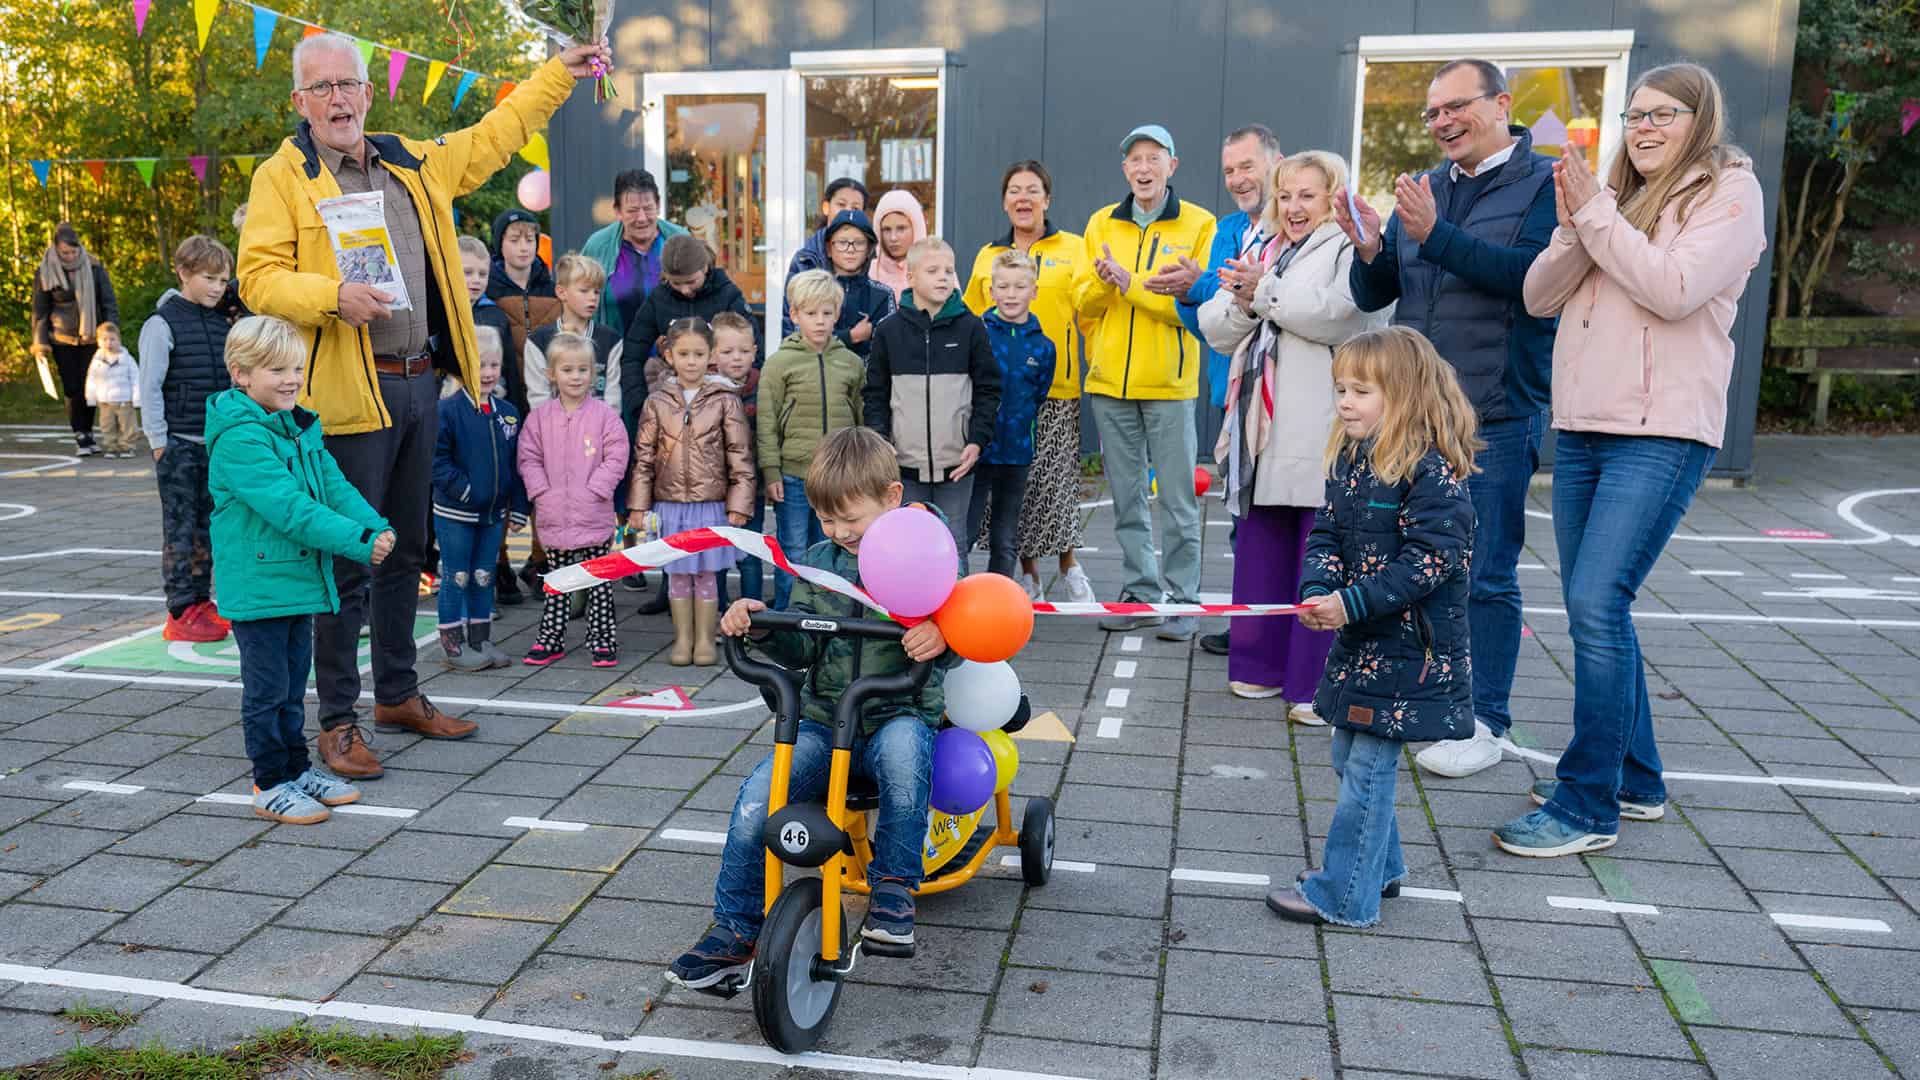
<point x="1362" y="852"/>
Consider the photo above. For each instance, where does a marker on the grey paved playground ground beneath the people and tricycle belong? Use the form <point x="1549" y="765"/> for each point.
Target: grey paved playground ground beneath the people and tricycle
<point x="1765" y="929"/>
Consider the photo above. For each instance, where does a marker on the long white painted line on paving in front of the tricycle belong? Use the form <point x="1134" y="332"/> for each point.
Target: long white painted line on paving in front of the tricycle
<point x="698" y="1050"/>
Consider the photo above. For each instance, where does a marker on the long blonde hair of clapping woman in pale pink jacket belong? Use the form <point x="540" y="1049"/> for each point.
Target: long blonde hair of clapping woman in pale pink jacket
<point x="1706" y="147"/>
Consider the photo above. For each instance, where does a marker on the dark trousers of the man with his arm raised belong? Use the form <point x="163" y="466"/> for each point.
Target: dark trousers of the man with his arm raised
<point x="395" y="474"/>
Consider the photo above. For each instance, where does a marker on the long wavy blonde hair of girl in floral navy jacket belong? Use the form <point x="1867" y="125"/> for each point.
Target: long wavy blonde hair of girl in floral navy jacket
<point x="1424" y="406"/>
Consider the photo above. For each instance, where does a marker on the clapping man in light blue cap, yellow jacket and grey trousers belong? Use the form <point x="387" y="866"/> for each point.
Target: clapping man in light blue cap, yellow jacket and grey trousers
<point x="1143" y="372"/>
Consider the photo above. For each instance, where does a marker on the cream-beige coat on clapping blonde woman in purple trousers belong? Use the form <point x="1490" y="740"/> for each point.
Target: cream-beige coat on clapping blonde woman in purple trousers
<point x="1312" y="312"/>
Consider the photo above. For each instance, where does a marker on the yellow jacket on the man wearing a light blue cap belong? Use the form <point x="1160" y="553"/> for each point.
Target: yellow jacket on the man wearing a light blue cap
<point x="1138" y="347"/>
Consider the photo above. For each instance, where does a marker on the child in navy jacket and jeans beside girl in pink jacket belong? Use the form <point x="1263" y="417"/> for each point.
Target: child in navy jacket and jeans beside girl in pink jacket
<point x="477" y="501"/>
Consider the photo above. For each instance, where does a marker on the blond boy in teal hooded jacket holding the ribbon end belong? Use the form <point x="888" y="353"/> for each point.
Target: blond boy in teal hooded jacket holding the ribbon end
<point x="281" y="514"/>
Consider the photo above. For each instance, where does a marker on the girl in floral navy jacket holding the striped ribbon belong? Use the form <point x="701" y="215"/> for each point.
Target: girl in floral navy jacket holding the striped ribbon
<point x="1387" y="566"/>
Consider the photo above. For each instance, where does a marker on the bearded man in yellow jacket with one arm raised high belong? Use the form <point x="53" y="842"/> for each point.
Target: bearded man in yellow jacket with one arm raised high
<point x="372" y="362"/>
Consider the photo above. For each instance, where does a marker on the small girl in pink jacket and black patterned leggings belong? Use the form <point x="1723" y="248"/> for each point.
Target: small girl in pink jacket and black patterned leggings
<point x="573" y="458"/>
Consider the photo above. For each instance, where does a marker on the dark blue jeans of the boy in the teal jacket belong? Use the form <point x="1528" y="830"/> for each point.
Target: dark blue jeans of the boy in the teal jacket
<point x="276" y="660"/>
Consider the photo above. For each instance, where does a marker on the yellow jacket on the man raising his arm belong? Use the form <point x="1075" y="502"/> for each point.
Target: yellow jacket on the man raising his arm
<point x="287" y="262"/>
